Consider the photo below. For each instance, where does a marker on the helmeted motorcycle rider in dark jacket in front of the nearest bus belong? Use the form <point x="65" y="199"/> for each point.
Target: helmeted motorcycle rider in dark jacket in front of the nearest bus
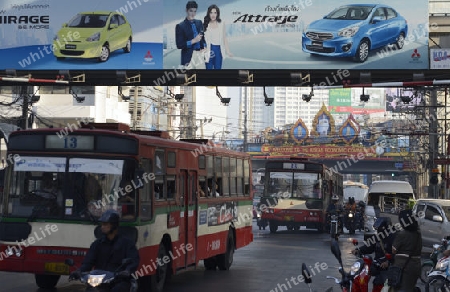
<point x="107" y="252"/>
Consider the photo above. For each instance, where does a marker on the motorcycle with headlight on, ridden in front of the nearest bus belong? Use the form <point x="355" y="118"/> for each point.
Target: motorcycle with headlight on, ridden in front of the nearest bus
<point x="100" y="280"/>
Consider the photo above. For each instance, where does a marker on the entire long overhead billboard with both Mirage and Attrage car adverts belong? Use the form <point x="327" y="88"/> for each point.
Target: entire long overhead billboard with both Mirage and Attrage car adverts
<point x="252" y="34"/>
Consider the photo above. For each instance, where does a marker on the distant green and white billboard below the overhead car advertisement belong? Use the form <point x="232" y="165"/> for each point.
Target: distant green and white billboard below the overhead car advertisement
<point x="347" y="101"/>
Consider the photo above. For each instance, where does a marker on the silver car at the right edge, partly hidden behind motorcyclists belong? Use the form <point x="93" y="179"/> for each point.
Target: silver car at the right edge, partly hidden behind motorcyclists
<point x="435" y="225"/>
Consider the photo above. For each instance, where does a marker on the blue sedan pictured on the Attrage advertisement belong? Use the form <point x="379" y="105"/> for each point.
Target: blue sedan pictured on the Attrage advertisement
<point x="354" y="31"/>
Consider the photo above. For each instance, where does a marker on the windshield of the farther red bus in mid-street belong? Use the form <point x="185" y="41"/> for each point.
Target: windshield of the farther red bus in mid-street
<point x="300" y="185"/>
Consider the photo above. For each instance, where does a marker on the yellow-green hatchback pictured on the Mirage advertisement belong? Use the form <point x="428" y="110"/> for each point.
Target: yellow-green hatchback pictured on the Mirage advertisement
<point x="93" y="35"/>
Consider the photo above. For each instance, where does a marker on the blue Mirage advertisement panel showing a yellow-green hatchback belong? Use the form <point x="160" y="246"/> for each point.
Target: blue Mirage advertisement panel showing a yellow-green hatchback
<point x="83" y="34"/>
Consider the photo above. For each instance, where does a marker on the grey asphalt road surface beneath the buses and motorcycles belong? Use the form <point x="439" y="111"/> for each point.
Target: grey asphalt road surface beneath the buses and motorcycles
<point x="267" y="265"/>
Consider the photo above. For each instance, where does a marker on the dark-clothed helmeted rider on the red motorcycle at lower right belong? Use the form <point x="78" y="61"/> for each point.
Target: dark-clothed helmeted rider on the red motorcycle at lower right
<point x="381" y="244"/>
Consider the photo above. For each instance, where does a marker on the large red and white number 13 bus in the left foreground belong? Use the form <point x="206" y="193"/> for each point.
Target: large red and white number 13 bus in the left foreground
<point x="180" y="201"/>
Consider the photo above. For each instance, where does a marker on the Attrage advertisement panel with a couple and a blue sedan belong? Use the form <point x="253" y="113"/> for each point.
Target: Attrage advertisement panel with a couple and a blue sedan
<point x="291" y="34"/>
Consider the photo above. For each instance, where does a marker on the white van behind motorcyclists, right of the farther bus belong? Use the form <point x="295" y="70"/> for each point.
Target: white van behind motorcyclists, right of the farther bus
<point x="386" y="198"/>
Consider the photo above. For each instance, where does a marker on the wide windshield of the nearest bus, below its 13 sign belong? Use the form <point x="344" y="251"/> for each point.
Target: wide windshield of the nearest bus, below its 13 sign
<point x="69" y="188"/>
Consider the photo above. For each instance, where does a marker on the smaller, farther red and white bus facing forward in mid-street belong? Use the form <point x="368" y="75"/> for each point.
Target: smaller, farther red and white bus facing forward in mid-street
<point x="297" y="193"/>
